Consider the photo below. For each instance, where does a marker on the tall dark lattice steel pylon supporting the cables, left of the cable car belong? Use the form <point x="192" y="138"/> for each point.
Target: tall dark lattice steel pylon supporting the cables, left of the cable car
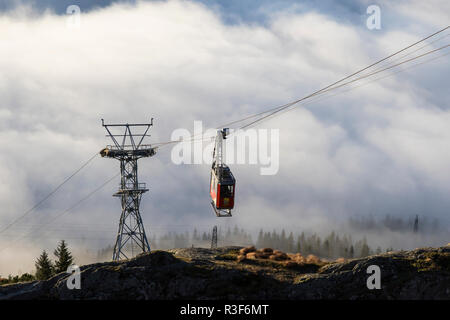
<point x="128" y="151"/>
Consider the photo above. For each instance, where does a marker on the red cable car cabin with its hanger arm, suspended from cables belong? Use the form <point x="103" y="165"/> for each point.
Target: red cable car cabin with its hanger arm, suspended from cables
<point x="222" y="181"/>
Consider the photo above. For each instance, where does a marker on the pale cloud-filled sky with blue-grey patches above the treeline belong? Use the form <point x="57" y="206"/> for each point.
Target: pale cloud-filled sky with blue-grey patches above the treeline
<point x="379" y="149"/>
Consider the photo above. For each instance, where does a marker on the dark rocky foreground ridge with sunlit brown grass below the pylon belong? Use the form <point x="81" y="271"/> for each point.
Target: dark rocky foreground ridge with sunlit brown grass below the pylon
<point x="197" y="273"/>
